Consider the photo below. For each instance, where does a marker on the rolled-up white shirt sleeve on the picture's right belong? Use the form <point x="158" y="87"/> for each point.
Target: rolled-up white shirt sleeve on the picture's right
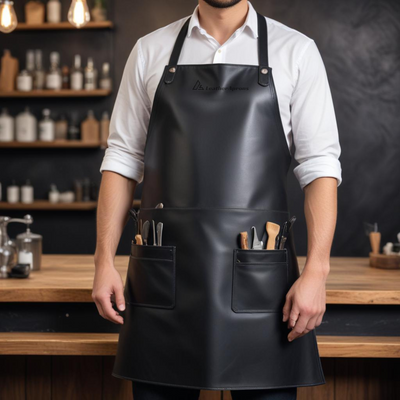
<point x="315" y="133"/>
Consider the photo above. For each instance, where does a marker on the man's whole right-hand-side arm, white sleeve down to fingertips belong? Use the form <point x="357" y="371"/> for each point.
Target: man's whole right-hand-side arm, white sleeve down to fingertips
<point x="317" y="149"/>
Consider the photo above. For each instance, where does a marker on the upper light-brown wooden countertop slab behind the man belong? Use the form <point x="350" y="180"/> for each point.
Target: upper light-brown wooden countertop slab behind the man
<point x="69" y="278"/>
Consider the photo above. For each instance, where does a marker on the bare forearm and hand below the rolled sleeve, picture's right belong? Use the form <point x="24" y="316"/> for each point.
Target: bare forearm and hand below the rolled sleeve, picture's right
<point x="305" y="301"/>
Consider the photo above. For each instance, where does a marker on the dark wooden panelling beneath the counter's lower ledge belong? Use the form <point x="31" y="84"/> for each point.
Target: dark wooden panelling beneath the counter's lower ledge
<point x="89" y="378"/>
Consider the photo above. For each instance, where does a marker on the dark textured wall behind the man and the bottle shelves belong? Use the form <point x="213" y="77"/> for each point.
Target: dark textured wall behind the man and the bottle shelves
<point x="360" y="44"/>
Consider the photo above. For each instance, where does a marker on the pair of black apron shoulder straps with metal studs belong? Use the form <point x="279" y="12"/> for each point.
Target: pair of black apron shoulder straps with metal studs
<point x="263" y="75"/>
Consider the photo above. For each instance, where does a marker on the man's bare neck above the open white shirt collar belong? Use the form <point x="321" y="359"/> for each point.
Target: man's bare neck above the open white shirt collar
<point x="220" y="23"/>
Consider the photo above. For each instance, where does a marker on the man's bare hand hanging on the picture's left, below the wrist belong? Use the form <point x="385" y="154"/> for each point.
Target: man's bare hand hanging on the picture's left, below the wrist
<point x="107" y="286"/>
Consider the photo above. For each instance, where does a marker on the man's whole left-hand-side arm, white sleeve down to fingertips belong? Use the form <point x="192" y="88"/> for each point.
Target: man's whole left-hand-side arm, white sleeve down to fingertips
<point x="122" y="169"/>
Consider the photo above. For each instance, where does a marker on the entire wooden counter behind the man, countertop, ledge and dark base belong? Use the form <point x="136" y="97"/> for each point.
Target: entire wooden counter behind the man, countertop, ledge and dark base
<point x="54" y="345"/>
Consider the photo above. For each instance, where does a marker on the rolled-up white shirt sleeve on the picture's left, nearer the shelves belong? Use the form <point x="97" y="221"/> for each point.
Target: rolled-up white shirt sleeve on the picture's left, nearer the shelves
<point x="129" y="121"/>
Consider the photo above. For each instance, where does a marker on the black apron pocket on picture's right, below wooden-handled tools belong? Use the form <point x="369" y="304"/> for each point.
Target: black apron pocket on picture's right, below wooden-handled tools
<point x="260" y="280"/>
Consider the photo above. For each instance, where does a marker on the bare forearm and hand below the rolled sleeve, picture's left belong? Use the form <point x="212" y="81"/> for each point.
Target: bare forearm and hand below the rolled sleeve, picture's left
<point x="115" y="199"/>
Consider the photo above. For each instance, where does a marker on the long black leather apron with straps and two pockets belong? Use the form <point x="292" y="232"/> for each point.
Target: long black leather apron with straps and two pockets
<point x="201" y="312"/>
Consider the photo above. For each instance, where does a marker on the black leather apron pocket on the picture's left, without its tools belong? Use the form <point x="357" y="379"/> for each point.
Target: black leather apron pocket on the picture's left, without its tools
<point x="150" y="280"/>
